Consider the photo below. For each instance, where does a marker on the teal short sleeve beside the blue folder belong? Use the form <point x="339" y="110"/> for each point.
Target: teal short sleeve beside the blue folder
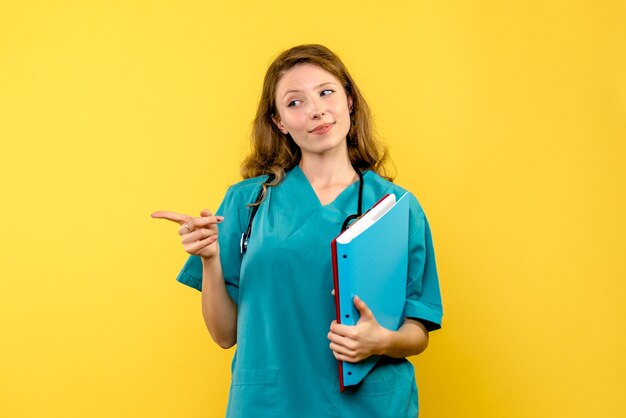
<point x="423" y="295"/>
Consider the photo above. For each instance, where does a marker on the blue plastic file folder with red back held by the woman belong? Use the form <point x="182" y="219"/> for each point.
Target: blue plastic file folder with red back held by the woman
<point x="373" y="265"/>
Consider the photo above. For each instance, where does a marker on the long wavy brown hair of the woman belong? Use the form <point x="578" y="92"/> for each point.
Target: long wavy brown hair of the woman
<point x="274" y="153"/>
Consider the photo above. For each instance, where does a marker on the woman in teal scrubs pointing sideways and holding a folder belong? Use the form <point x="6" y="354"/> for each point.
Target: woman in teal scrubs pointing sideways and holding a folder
<point x="269" y="292"/>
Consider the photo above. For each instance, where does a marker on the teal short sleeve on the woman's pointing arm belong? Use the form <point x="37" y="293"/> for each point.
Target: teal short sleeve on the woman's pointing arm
<point x="234" y="211"/>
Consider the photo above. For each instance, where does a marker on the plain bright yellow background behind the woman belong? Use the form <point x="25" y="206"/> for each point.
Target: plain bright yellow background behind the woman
<point x="506" y="119"/>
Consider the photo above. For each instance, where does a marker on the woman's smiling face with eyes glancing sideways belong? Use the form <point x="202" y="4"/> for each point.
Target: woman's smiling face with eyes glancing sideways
<point x="314" y="109"/>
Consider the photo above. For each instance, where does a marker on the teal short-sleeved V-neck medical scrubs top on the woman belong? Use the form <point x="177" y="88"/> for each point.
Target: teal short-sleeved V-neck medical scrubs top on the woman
<point x="283" y="366"/>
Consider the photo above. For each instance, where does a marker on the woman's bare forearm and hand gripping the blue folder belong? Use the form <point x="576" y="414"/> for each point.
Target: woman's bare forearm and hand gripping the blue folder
<point x="368" y="338"/>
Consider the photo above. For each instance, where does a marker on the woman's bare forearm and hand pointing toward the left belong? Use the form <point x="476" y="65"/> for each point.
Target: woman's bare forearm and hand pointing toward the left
<point x="199" y="237"/>
